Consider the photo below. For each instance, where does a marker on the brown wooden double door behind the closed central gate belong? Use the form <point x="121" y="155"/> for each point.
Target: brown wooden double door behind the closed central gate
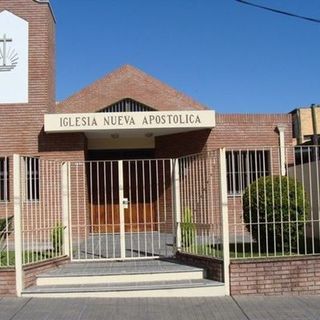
<point x="139" y="182"/>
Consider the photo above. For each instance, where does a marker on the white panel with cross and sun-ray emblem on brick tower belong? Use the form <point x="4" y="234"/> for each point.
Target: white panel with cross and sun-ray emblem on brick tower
<point x="14" y="58"/>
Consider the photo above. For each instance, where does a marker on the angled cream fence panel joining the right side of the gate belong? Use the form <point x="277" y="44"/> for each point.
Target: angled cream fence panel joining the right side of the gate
<point x="201" y="221"/>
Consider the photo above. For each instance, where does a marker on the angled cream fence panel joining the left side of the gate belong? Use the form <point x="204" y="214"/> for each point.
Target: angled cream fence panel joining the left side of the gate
<point x="42" y="228"/>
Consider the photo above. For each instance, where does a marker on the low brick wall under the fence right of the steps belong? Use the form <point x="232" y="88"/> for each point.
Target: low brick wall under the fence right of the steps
<point x="278" y="276"/>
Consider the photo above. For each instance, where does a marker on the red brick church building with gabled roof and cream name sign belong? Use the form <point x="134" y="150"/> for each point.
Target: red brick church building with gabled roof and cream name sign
<point x="123" y="165"/>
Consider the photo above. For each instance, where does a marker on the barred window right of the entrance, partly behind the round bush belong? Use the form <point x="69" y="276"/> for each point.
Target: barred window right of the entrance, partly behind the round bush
<point x="244" y="167"/>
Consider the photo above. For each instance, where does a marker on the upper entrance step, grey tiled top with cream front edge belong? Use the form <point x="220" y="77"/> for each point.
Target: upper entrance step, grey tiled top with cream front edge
<point x="124" y="272"/>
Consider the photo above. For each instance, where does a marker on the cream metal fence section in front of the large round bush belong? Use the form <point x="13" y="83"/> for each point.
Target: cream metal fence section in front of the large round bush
<point x="273" y="202"/>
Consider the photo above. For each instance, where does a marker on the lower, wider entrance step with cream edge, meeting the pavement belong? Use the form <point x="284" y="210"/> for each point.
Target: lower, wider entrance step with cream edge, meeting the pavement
<point x="173" y="288"/>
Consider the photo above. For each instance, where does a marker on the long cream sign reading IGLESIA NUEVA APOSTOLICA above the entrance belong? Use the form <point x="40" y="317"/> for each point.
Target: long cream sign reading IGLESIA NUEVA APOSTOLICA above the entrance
<point x="117" y="121"/>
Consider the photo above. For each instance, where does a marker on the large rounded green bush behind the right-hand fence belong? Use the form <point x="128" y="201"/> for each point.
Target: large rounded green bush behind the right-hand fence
<point x="276" y="199"/>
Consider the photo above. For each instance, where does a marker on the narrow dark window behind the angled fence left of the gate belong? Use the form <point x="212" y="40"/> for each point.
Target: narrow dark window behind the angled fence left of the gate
<point x="32" y="181"/>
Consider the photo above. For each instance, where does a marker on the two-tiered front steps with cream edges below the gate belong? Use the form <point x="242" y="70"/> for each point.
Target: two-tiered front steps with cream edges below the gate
<point x="143" y="278"/>
